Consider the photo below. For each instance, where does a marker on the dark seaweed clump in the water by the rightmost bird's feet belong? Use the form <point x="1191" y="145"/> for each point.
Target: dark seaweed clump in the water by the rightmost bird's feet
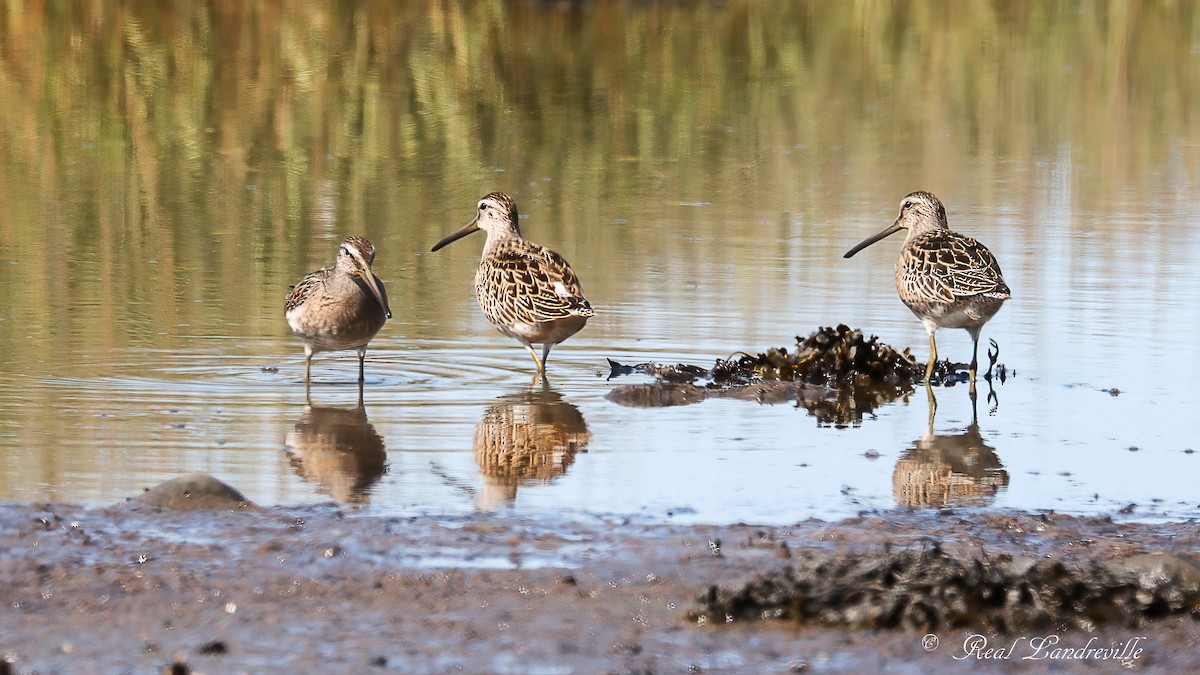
<point x="837" y="374"/>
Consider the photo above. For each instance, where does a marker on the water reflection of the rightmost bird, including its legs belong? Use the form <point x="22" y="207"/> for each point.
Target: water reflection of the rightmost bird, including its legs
<point x="949" y="470"/>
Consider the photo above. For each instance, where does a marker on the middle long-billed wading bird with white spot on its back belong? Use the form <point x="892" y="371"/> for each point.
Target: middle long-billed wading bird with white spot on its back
<point x="529" y="292"/>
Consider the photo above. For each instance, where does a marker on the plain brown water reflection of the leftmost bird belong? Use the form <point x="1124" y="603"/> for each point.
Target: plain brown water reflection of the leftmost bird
<point x="339" y="451"/>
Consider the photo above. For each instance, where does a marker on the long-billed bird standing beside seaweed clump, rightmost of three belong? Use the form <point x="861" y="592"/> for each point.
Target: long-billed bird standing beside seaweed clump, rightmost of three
<point x="946" y="279"/>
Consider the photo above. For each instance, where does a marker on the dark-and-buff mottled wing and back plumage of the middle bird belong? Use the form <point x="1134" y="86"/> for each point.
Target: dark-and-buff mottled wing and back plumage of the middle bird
<point x="523" y="283"/>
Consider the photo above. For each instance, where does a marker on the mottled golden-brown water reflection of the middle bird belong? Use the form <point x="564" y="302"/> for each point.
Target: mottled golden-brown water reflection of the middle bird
<point x="526" y="439"/>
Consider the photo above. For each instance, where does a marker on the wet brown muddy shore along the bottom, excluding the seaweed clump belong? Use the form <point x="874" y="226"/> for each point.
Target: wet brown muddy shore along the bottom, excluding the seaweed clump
<point x="140" y="588"/>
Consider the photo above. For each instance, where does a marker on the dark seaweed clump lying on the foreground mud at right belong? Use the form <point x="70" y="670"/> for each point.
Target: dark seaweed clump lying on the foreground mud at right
<point x="932" y="590"/>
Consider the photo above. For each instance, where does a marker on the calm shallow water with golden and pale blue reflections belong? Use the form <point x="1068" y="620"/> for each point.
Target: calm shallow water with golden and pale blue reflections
<point x="167" y="174"/>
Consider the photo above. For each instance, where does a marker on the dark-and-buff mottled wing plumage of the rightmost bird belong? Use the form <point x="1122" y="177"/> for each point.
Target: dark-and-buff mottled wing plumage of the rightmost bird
<point x="944" y="266"/>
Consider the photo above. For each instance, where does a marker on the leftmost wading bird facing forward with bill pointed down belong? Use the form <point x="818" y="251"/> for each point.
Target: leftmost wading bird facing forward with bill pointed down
<point x="341" y="307"/>
